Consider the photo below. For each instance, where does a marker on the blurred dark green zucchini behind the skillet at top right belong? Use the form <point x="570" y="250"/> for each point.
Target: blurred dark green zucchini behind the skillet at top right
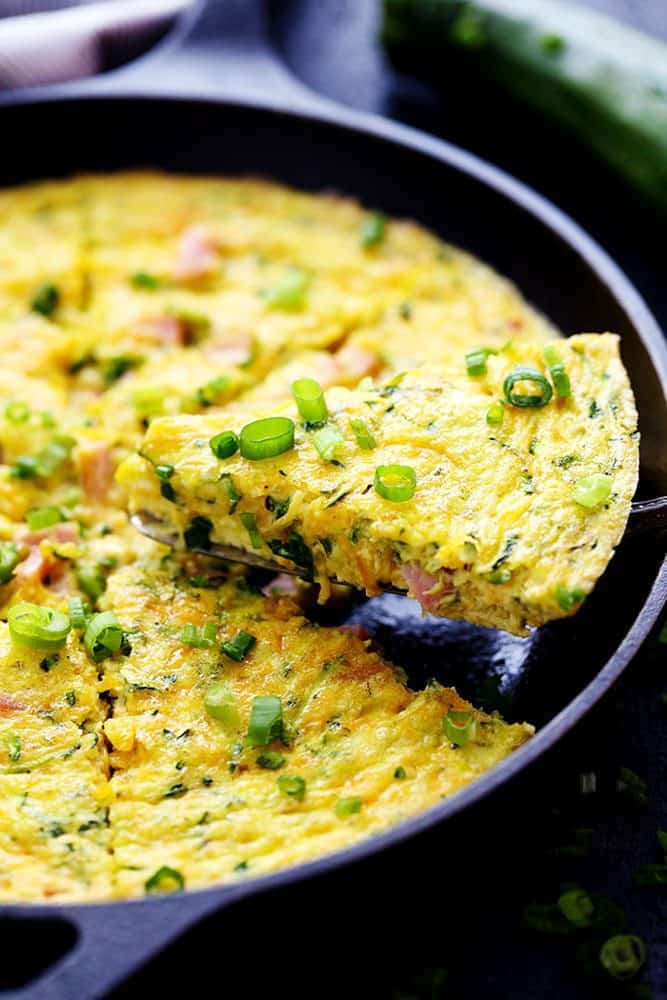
<point x="604" y="81"/>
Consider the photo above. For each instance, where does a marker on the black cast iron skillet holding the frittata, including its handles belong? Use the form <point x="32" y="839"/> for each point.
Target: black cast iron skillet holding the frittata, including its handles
<point x="238" y="111"/>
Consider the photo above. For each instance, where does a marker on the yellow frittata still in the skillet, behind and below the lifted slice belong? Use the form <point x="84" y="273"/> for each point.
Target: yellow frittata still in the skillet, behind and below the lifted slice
<point x="162" y="724"/>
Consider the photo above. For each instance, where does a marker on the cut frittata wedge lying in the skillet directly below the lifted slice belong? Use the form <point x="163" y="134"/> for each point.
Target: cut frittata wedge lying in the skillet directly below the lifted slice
<point x="204" y="794"/>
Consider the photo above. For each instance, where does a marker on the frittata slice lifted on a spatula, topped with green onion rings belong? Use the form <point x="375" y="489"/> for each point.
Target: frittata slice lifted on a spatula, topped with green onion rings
<point x="503" y="513"/>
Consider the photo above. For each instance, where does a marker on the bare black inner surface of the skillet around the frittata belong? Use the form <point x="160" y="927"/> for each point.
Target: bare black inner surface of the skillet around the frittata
<point x="493" y="669"/>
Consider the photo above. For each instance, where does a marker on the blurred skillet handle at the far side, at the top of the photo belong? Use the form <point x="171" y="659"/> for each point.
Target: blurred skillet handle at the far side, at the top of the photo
<point x="220" y="49"/>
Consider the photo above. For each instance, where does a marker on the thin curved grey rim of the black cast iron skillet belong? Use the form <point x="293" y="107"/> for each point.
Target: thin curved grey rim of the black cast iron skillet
<point x="326" y="112"/>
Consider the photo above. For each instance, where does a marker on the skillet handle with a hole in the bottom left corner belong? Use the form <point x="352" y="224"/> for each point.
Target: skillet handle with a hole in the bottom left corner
<point x="112" y="941"/>
